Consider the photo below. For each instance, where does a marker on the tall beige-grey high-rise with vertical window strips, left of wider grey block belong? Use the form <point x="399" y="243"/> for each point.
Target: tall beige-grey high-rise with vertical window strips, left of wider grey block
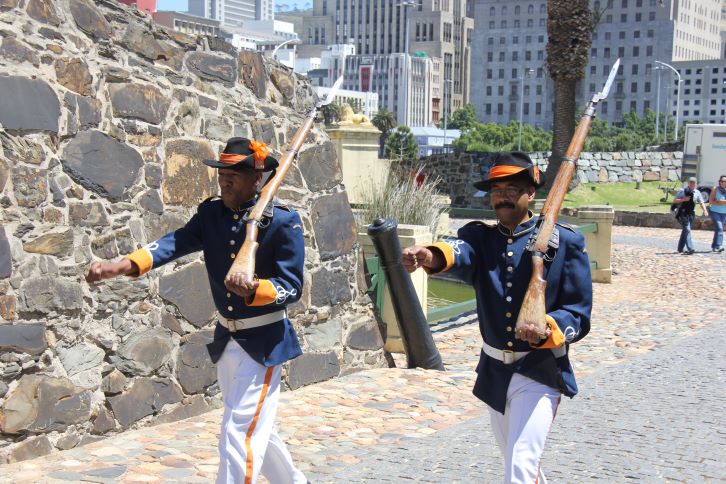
<point x="439" y="28"/>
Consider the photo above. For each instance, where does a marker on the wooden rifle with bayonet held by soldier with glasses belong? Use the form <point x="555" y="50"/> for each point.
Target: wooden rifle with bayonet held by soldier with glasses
<point x="533" y="307"/>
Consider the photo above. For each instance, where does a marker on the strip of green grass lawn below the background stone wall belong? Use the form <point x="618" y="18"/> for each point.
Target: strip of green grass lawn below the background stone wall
<point x="623" y="196"/>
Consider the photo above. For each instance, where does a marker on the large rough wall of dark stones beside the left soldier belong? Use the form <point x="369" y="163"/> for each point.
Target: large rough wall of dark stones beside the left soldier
<point x="105" y="118"/>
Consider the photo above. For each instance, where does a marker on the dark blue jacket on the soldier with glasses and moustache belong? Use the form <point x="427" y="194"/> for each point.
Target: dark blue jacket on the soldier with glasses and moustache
<point x="493" y="260"/>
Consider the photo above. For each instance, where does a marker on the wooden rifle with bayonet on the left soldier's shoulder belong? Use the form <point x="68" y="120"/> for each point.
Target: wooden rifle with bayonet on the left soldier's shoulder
<point x="244" y="263"/>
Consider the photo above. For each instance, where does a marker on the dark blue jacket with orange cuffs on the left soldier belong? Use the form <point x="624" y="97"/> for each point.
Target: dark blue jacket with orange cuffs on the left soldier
<point x="220" y="232"/>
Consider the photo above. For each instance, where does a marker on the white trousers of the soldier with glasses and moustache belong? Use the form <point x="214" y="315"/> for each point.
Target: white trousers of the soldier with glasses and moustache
<point x="522" y="430"/>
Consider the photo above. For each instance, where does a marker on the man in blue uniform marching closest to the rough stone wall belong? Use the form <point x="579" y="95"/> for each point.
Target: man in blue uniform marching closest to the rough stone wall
<point x="253" y="336"/>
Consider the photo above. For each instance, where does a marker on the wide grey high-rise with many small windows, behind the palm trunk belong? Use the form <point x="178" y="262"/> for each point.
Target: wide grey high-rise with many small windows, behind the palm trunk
<point x="509" y="72"/>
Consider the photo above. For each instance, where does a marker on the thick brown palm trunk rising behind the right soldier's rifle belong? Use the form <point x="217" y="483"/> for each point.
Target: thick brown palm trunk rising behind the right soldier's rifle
<point x="569" y="30"/>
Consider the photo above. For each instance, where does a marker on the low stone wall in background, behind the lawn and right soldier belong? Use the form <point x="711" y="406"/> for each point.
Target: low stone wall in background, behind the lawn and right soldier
<point x="458" y="172"/>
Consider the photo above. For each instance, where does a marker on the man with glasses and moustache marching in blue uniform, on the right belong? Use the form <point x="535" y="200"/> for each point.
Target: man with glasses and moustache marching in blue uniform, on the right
<point x="519" y="376"/>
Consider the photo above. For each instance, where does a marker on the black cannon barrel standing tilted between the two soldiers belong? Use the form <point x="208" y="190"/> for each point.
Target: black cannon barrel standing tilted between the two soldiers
<point x="418" y="343"/>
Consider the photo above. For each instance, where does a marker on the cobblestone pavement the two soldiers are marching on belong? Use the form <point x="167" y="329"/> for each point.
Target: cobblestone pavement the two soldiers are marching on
<point x="638" y="398"/>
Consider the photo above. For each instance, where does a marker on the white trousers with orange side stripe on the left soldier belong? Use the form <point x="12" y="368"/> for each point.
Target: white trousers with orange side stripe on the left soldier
<point x="248" y="442"/>
